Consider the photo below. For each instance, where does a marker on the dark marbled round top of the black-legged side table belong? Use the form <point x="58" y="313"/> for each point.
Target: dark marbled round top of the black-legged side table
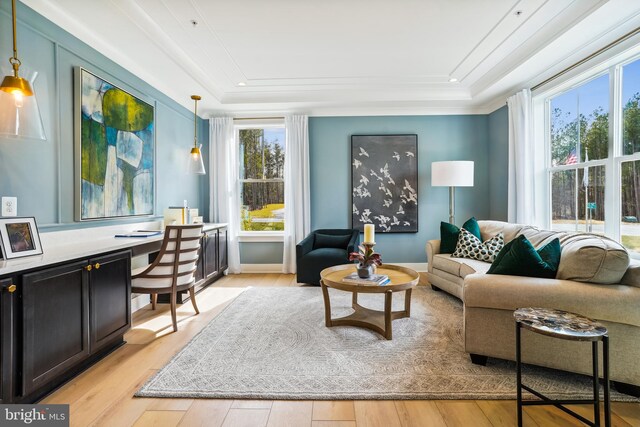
<point x="560" y="324"/>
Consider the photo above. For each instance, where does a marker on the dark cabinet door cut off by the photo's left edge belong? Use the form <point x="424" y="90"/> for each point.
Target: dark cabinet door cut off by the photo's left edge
<point x="7" y="341"/>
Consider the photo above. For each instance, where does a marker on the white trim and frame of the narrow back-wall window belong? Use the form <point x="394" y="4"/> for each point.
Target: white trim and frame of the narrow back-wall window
<point x="255" y="236"/>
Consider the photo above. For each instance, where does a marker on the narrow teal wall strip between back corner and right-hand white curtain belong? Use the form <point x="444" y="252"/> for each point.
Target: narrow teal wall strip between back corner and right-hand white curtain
<point x="499" y="162"/>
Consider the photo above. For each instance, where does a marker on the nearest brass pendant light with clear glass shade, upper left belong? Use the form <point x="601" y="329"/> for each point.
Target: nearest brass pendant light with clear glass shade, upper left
<point x="19" y="112"/>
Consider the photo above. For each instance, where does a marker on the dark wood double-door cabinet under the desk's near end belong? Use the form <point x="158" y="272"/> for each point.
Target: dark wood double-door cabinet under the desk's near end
<point x="69" y="314"/>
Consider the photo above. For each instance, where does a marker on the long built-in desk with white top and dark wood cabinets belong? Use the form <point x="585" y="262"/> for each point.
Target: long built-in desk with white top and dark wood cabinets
<point x="62" y="311"/>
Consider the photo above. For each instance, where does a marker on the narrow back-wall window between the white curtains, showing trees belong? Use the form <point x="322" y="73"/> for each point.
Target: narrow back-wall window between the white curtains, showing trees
<point x="261" y="176"/>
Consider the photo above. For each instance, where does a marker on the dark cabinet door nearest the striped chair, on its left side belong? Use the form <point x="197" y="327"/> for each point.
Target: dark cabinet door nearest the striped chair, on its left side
<point x="109" y="298"/>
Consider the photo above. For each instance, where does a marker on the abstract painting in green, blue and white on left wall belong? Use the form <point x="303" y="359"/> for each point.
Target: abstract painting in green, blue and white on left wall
<point x="114" y="139"/>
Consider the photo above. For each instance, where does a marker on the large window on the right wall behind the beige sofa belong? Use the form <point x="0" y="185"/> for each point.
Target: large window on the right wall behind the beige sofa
<point x="594" y="155"/>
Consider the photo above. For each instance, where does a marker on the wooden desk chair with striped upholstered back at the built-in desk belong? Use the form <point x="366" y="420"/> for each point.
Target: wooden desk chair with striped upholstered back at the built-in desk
<point x="174" y="268"/>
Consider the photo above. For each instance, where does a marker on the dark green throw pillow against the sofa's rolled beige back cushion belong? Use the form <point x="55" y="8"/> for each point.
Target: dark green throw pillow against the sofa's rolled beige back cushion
<point x="520" y="258"/>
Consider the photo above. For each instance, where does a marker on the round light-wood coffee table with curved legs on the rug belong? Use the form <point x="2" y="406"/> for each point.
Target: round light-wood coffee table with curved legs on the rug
<point x="402" y="279"/>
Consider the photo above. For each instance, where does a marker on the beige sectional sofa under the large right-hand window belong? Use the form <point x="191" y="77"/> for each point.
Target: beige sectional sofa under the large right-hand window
<point x="595" y="279"/>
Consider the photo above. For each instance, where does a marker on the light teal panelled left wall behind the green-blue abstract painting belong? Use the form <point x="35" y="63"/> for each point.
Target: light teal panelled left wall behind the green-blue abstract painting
<point x="40" y="174"/>
